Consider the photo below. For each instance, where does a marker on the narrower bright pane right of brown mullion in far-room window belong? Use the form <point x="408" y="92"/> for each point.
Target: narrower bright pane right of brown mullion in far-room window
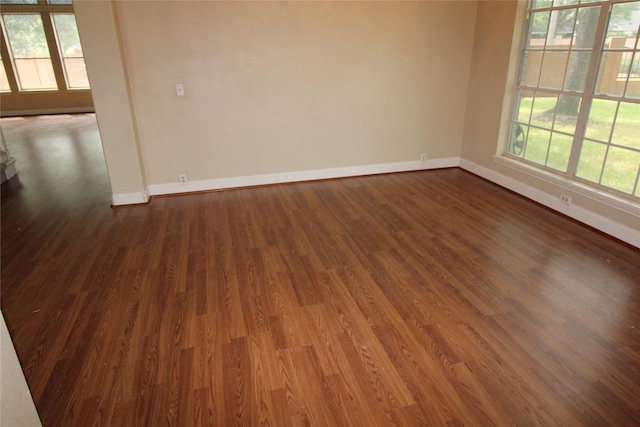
<point x="71" y="50"/>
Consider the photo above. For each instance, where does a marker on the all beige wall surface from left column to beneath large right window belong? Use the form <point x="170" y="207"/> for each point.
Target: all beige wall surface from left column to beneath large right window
<point x="276" y="87"/>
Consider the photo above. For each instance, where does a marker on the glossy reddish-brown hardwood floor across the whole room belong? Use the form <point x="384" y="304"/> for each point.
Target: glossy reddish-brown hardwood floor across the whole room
<point x="422" y="298"/>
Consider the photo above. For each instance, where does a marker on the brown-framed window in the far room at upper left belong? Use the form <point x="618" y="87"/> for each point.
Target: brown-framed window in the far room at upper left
<point x="41" y="46"/>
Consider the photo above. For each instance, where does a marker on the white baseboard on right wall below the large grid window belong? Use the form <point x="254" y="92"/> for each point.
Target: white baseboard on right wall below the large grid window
<point x="599" y="222"/>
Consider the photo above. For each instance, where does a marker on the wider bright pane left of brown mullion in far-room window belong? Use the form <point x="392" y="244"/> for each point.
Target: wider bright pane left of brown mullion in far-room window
<point x="28" y="46"/>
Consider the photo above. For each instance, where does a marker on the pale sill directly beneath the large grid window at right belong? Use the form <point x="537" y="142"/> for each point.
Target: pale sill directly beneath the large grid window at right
<point x="623" y="204"/>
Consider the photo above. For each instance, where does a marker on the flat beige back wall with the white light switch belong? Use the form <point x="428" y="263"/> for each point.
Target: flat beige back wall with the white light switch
<point x="291" y="86"/>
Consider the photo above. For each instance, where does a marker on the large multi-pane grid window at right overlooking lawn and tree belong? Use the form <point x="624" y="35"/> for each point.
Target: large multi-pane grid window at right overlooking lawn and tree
<point x="577" y="103"/>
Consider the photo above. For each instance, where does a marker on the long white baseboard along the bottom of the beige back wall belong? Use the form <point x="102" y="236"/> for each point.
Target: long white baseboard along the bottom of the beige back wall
<point x="310" y="175"/>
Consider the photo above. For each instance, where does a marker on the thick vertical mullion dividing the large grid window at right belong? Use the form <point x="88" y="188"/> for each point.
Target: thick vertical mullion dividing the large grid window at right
<point x="587" y="97"/>
